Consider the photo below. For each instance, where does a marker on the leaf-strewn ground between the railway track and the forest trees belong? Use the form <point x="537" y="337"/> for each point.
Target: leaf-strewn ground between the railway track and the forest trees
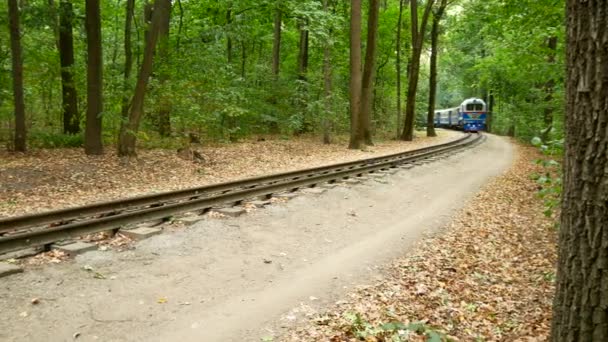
<point x="58" y="178"/>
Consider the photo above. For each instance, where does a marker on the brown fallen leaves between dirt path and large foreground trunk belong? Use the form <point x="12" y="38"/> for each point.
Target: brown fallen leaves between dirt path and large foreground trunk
<point x="488" y="276"/>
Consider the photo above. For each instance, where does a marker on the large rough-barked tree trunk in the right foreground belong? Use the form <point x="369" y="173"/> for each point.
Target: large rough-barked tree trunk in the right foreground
<point x="580" y="310"/>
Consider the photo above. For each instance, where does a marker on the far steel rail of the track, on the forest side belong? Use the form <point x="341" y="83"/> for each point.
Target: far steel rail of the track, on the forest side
<point x="67" y="215"/>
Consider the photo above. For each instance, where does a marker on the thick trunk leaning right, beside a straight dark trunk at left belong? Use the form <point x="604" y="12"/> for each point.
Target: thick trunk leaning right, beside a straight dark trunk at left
<point x="128" y="137"/>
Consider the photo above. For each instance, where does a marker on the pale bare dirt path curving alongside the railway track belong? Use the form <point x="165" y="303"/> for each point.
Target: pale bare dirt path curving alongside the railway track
<point x="246" y="278"/>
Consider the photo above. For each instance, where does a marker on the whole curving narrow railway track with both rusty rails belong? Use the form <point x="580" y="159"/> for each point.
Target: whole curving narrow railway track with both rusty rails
<point x="43" y="229"/>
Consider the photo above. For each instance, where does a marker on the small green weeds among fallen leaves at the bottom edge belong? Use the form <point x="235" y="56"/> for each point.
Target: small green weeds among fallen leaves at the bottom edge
<point x="393" y="331"/>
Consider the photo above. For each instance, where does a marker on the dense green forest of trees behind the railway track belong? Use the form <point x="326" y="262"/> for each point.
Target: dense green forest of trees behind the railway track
<point x="131" y="74"/>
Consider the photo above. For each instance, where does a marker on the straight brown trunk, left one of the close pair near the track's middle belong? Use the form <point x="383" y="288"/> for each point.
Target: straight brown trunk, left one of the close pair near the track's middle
<point x="355" y="74"/>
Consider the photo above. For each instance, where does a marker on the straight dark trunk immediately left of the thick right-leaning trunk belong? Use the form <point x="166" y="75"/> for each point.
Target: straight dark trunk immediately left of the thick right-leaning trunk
<point x="92" y="138"/>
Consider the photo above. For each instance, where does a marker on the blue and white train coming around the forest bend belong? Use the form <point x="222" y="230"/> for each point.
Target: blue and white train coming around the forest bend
<point x="470" y="116"/>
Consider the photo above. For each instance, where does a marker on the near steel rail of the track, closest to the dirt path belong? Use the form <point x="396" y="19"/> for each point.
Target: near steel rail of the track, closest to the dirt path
<point x="46" y="236"/>
